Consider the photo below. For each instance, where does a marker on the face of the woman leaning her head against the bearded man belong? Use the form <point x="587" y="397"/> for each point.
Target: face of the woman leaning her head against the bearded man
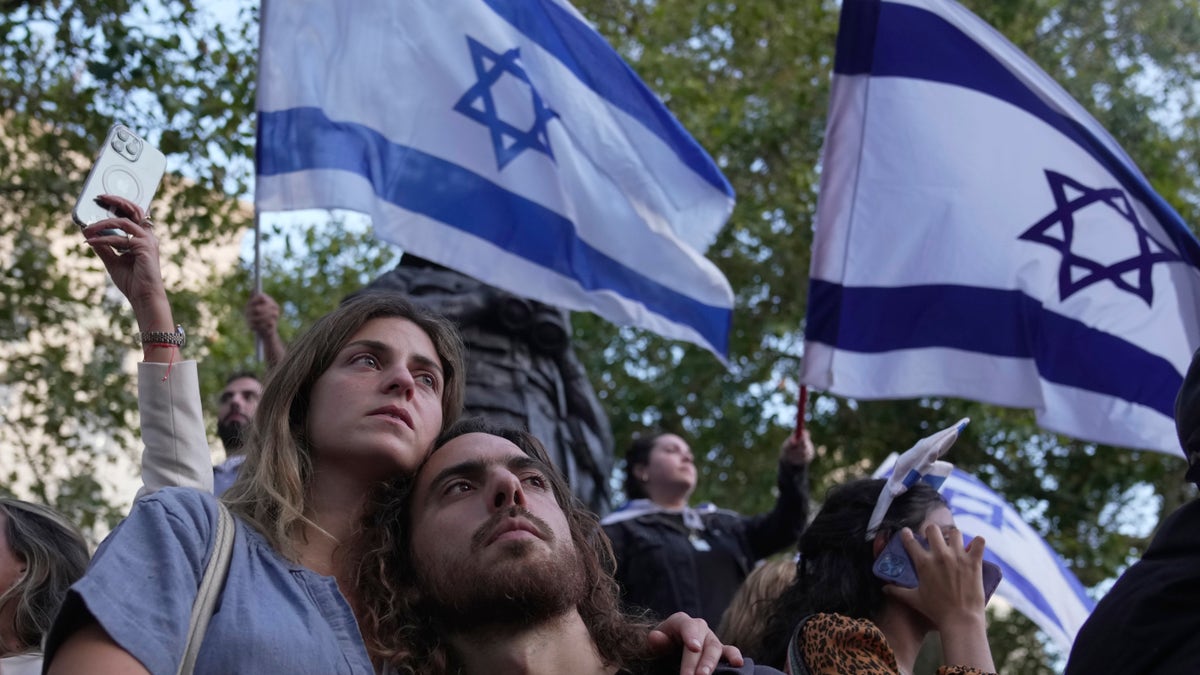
<point x="377" y="410"/>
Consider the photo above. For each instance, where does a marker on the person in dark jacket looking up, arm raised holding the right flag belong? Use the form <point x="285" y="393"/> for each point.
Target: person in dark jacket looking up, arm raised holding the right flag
<point x="673" y="558"/>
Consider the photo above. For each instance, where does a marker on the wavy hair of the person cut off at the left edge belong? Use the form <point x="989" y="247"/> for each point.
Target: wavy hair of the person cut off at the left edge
<point x="56" y="555"/>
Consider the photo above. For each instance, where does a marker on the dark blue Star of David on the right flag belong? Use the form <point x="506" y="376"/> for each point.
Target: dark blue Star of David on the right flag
<point x="1059" y="231"/>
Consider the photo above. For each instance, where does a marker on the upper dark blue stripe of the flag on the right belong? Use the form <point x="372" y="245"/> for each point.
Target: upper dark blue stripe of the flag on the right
<point x="892" y="40"/>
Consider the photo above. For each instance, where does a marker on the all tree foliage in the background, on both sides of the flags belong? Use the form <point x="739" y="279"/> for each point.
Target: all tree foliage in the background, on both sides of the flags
<point x="751" y="80"/>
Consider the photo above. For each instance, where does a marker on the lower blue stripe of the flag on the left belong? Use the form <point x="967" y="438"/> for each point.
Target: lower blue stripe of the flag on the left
<point x="463" y="200"/>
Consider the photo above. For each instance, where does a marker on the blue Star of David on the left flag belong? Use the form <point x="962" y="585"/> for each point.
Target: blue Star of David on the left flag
<point x="481" y="105"/>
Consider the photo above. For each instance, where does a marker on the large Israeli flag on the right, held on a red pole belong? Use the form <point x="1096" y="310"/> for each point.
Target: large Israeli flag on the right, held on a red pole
<point x="981" y="236"/>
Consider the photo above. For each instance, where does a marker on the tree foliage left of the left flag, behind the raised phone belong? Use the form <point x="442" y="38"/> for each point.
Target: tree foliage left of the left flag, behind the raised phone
<point x="68" y="71"/>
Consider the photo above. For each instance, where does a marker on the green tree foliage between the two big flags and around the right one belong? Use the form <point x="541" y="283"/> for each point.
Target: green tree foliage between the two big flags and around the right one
<point x="751" y="81"/>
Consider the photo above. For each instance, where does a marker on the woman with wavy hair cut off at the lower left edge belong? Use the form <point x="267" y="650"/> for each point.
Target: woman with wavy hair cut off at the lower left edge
<point x="41" y="555"/>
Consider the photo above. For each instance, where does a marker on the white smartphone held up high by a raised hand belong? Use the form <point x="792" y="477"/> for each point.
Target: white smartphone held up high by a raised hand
<point x="128" y="168"/>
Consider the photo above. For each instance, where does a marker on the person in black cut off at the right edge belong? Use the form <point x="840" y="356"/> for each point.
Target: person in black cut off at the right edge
<point x="1150" y="620"/>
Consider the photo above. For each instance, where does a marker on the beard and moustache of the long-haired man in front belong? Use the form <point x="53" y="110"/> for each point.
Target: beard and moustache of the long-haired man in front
<point x="519" y="593"/>
